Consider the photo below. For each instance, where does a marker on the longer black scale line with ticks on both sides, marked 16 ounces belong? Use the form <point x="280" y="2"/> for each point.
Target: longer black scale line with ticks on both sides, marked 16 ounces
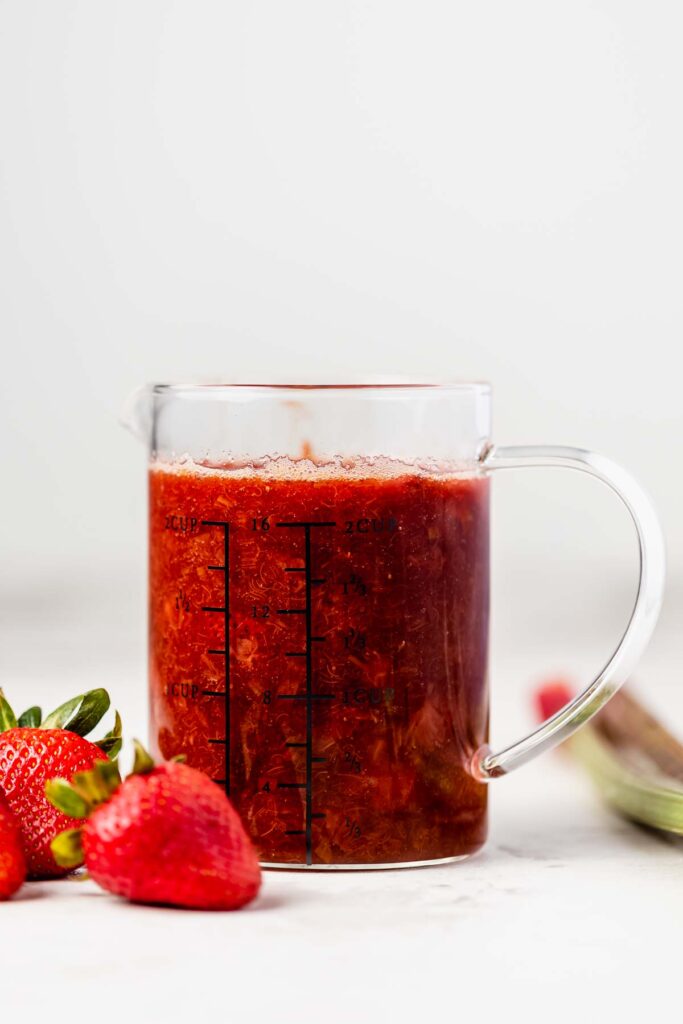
<point x="310" y="697"/>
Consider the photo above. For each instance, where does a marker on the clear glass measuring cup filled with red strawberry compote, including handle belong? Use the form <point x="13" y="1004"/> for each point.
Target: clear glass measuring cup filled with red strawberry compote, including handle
<point x="319" y="611"/>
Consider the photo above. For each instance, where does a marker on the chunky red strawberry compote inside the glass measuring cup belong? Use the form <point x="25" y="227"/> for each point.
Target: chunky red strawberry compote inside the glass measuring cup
<point x="319" y="648"/>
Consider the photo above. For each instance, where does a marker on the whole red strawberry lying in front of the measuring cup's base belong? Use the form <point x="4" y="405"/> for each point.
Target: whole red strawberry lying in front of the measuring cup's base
<point x="165" y="835"/>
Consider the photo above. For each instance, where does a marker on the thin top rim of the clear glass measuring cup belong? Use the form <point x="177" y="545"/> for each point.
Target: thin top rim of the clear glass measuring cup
<point x="424" y="388"/>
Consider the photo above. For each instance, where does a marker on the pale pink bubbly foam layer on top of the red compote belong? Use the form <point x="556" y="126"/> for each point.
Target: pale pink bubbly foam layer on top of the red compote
<point x="282" y="467"/>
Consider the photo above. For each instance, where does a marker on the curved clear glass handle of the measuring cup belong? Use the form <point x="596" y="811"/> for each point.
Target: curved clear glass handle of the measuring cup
<point x="487" y="764"/>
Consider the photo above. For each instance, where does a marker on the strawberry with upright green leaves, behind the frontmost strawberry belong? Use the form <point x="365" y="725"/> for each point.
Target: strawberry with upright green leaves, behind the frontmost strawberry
<point x="33" y="752"/>
